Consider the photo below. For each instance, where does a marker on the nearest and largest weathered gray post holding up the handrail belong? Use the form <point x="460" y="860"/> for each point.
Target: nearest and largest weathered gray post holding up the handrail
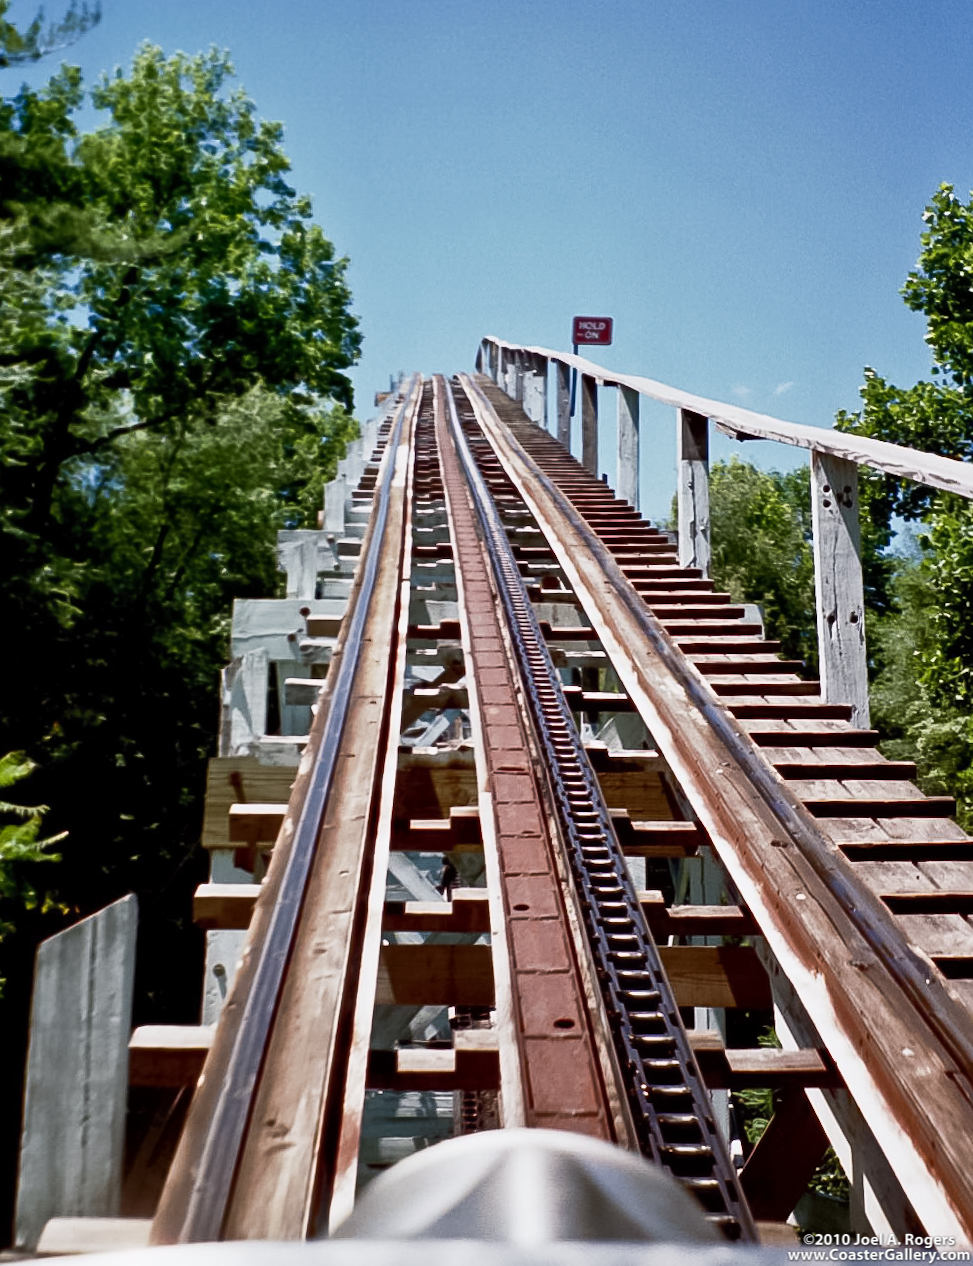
<point x="838" y="584"/>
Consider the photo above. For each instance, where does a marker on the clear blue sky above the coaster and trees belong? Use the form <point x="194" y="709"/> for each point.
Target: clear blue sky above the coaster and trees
<point x="740" y="185"/>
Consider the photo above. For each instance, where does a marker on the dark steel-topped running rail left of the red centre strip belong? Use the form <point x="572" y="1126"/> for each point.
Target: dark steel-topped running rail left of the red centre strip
<point x="212" y="1192"/>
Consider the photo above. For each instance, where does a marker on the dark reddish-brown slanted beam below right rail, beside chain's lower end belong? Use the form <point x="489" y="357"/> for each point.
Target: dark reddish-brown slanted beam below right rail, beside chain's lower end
<point x="783" y="1164"/>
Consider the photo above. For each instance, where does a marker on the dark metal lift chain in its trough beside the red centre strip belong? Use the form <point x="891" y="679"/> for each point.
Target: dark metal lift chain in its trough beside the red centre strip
<point x="667" y="1098"/>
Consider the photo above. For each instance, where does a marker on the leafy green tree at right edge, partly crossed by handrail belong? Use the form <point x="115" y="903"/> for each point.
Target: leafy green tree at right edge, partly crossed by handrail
<point x="934" y="594"/>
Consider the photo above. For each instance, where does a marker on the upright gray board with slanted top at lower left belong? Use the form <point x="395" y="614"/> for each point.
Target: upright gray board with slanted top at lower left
<point x="74" y="1138"/>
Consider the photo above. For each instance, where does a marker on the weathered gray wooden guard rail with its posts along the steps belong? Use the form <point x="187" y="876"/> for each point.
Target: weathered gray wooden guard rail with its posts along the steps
<point x="523" y="372"/>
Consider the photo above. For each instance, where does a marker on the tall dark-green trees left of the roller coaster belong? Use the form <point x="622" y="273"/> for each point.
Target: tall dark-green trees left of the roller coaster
<point x="175" y="334"/>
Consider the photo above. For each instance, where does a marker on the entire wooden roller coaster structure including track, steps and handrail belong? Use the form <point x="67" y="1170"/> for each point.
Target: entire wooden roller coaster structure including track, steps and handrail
<point x="562" y="825"/>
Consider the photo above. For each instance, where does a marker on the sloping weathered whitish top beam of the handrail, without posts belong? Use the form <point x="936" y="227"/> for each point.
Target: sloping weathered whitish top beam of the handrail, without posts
<point x="945" y="473"/>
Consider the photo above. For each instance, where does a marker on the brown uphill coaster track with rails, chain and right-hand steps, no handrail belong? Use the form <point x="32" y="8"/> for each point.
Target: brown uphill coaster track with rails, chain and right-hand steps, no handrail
<point x="852" y="887"/>
